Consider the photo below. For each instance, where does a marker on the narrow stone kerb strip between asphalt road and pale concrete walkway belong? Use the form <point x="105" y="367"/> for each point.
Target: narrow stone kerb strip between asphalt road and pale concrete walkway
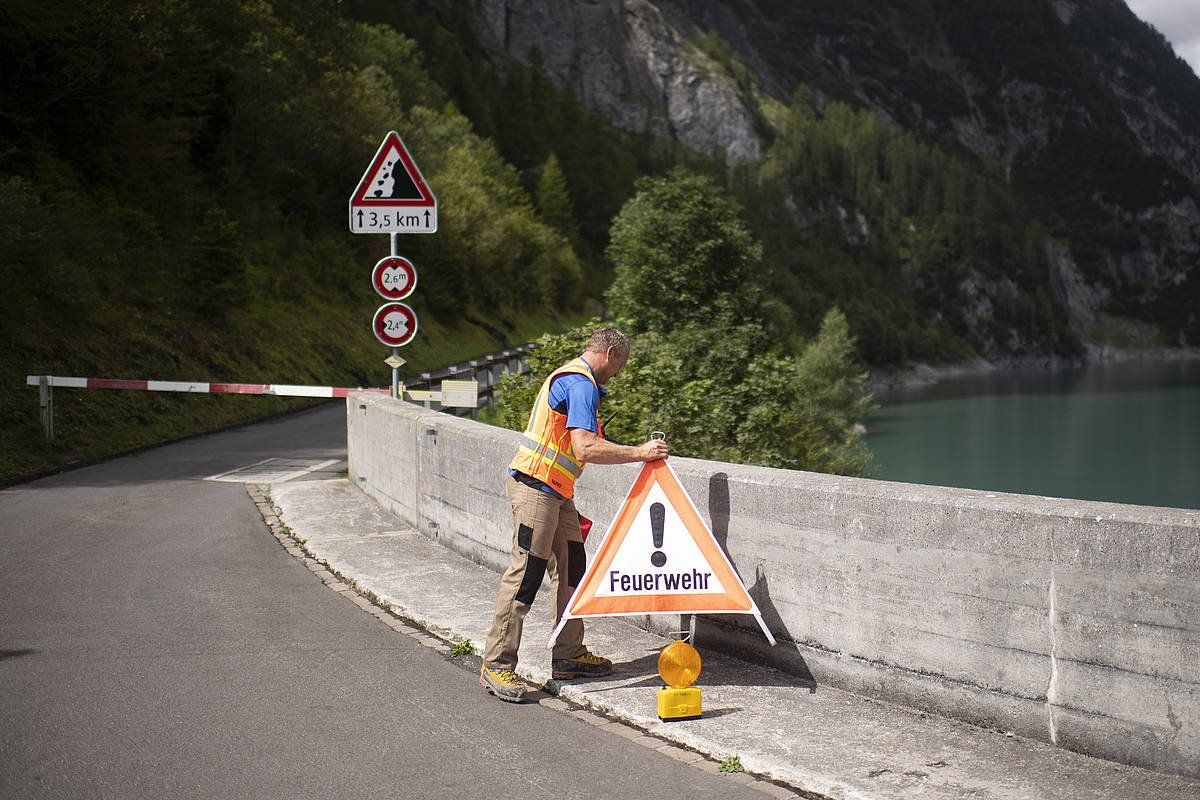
<point x="555" y="701"/>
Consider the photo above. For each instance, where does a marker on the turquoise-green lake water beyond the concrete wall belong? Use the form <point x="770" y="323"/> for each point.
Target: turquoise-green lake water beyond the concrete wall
<point x="1124" y="432"/>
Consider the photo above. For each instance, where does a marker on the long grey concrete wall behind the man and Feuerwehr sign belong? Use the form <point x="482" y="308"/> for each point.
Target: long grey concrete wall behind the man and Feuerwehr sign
<point x="1071" y="622"/>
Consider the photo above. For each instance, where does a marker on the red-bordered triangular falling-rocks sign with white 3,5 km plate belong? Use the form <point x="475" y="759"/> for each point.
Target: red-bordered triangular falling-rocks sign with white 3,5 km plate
<point x="393" y="196"/>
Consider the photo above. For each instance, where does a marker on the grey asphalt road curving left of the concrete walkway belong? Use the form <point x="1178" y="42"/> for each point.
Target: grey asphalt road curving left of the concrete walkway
<point x="157" y="642"/>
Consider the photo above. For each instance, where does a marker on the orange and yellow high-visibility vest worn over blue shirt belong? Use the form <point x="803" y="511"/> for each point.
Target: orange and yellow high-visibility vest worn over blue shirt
<point x="547" y="453"/>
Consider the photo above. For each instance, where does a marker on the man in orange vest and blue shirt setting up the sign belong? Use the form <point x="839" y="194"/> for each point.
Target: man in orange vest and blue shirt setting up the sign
<point x="562" y="436"/>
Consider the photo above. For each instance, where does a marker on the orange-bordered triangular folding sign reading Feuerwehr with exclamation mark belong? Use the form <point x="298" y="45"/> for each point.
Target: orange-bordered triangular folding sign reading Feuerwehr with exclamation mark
<point x="658" y="557"/>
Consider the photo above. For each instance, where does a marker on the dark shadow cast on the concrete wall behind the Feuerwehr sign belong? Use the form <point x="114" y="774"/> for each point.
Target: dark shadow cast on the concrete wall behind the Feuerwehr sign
<point x="736" y="629"/>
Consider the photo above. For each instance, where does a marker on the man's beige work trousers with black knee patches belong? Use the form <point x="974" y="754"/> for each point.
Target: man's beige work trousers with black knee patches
<point x="545" y="536"/>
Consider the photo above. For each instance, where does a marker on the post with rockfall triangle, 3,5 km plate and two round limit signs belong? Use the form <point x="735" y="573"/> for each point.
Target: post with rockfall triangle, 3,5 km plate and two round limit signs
<point x="393" y="199"/>
